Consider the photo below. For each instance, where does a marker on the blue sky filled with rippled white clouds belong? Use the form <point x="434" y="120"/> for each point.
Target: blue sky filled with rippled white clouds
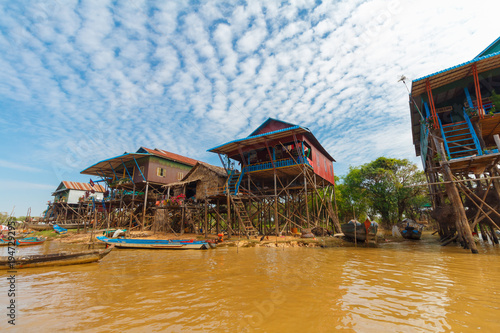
<point x="82" y="81"/>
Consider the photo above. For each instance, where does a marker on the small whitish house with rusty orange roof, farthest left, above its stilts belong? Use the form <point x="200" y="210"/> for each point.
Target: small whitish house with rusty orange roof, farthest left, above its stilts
<point x="71" y="192"/>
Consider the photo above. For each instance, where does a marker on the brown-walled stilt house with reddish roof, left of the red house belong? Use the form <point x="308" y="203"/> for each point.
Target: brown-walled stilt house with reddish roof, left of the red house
<point x="136" y="181"/>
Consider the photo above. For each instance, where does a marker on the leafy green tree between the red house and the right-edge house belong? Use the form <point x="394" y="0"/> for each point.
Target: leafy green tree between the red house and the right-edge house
<point x="382" y="188"/>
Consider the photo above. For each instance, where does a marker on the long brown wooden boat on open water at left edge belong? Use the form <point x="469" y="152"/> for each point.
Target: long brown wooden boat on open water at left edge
<point x="56" y="259"/>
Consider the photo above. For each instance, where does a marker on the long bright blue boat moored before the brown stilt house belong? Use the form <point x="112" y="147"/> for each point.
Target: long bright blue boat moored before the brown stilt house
<point x="169" y="244"/>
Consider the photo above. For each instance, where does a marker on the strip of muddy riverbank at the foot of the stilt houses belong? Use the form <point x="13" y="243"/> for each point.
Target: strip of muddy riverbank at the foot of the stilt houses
<point x="74" y="237"/>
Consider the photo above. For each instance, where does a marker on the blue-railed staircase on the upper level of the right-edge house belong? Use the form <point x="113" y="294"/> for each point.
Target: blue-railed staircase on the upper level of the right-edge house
<point x="460" y="139"/>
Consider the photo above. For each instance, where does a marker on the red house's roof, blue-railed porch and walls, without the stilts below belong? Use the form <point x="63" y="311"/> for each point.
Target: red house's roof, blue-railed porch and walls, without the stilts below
<point x="276" y="147"/>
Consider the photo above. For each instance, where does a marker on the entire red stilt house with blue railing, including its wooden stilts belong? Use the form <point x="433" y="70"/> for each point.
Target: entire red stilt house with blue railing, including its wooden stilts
<point x="279" y="165"/>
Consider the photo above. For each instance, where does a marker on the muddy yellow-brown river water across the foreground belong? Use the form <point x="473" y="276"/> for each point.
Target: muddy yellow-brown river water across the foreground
<point x="397" y="287"/>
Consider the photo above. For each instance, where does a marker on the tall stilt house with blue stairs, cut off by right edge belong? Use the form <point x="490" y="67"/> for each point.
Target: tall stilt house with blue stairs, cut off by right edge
<point x="456" y="125"/>
